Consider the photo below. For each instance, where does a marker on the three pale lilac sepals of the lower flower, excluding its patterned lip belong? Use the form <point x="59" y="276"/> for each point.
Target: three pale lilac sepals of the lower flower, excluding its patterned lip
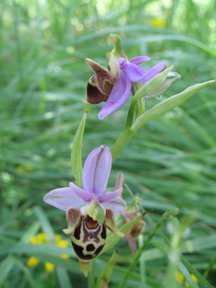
<point x="95" y="176"/>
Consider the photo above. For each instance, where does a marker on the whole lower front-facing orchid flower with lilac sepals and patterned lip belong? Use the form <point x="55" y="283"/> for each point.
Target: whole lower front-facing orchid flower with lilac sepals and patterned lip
<point x="90" y="210"/>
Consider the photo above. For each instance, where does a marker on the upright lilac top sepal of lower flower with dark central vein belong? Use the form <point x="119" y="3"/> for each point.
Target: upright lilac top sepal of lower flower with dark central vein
<point x="97" y="169"/>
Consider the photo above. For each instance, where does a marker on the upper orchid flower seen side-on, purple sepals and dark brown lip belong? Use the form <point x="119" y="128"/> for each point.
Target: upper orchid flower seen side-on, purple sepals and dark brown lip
<point x="114" y="86"/>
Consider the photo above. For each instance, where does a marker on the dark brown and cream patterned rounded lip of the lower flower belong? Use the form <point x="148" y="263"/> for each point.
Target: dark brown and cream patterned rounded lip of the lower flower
<point x="88" y="238"/>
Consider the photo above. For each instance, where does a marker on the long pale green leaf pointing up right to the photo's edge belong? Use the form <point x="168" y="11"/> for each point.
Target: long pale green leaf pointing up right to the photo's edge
<point x="169" y="104"/>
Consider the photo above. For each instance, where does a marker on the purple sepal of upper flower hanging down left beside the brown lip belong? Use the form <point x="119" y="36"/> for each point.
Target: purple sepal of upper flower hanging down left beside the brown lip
<point x="119" y="95"/>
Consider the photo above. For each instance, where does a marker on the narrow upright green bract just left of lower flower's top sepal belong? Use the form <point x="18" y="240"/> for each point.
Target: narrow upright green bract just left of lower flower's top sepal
<point x="76" y="151"/>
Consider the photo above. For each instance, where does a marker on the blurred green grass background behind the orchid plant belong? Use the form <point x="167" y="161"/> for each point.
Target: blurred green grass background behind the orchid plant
<point x="170" y="163"/>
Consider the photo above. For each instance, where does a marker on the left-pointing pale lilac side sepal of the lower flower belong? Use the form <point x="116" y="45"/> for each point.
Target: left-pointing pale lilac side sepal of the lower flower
<point x="63" y="199"/>
